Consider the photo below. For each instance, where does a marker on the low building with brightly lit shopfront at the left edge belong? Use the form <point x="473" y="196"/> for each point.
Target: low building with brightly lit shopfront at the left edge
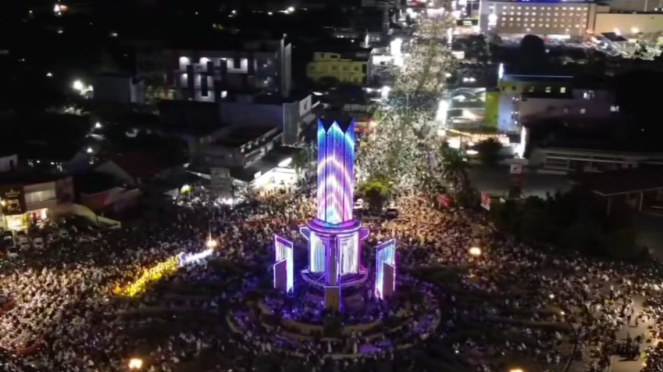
<point x="27" y="197"/>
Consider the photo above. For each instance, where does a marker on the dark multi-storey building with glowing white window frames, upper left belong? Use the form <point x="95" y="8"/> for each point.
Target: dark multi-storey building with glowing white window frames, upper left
<point x="208" y="74"/>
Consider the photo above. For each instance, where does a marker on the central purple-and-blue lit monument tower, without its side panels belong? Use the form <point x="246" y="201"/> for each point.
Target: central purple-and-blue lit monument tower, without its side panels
<point x="334" y="236"/>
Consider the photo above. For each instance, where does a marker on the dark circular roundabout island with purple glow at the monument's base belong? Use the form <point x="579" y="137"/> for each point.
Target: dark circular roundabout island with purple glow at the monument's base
<point x="292" y="322"/>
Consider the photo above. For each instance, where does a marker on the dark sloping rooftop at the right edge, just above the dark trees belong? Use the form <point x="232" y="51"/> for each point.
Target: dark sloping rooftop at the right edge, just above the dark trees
<point x="620" y="182"/>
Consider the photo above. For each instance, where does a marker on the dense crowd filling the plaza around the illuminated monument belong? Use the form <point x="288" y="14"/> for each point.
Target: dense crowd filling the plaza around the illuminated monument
<point x="509" y="303"/>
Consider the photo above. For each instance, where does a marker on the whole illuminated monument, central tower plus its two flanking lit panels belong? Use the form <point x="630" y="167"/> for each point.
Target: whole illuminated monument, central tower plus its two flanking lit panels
<point x="334" y="236"/>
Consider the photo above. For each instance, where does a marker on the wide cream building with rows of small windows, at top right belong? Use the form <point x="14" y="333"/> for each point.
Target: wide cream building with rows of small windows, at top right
<point x="550" y="18"/>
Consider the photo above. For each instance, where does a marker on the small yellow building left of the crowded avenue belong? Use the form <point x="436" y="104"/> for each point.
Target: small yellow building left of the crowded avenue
<point x="350" y="67"/>
